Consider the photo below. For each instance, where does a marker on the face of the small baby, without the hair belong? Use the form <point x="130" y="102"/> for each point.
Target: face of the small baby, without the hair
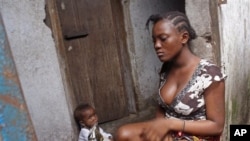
<point x="90" y="117"/>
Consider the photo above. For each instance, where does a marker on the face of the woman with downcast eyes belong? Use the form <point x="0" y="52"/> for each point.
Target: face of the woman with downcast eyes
<point x="167" y="40"/>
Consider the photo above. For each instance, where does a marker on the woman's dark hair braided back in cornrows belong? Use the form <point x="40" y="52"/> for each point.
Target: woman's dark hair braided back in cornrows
<point x="178" y="19"/>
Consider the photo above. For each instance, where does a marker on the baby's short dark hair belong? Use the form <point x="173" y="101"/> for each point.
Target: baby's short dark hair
<point x="78" y="116"/>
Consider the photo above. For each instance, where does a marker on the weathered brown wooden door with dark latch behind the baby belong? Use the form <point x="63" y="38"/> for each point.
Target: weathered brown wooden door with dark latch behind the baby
<point x="92" y="45"/>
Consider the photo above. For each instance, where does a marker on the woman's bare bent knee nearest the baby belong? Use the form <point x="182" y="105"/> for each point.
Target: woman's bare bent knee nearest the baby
<point x="130" y="132"/>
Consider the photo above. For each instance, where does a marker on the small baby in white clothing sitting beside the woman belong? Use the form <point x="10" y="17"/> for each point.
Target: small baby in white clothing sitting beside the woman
<point x="86" y="117"/>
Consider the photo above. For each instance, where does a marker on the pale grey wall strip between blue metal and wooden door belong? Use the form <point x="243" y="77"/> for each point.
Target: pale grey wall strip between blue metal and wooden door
<point x="38" y="69"/>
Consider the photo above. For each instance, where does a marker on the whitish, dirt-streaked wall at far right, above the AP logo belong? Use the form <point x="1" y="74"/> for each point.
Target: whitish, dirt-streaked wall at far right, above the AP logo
<point x="235" y="47"/>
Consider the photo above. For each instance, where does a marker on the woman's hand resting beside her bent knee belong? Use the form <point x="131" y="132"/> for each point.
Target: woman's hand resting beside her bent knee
<point x="156" y="130"/>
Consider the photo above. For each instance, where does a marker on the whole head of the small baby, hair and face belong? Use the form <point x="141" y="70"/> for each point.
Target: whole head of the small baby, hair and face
<point x="85" y="116"/>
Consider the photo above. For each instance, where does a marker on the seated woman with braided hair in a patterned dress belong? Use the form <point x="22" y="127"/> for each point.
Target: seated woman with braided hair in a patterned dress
<point x="191" y="94"/>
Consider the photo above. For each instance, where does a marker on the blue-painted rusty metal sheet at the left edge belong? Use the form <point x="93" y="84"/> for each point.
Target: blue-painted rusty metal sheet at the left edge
<point x="15" y="123"/>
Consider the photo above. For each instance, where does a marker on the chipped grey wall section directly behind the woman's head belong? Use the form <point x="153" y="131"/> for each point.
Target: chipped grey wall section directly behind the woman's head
<point x="199" y="16"/>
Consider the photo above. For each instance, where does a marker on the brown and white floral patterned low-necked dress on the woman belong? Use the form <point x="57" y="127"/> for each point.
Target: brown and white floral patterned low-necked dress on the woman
<point x="189" y="104"/>
